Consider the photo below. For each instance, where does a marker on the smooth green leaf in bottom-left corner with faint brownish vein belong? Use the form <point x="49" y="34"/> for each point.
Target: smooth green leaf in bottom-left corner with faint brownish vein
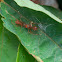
<point x="8" y="45"/>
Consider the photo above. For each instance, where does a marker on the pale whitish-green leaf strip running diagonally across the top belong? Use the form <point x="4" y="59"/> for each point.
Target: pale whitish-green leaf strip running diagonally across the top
<point x="31" y="5"/>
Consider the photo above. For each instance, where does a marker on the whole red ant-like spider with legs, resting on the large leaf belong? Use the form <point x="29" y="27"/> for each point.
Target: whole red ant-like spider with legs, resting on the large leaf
<point x="28" y="26"/>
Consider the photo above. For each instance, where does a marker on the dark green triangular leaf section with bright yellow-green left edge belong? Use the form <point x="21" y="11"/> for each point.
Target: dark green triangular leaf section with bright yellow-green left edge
<point x="23" y="56"/>
